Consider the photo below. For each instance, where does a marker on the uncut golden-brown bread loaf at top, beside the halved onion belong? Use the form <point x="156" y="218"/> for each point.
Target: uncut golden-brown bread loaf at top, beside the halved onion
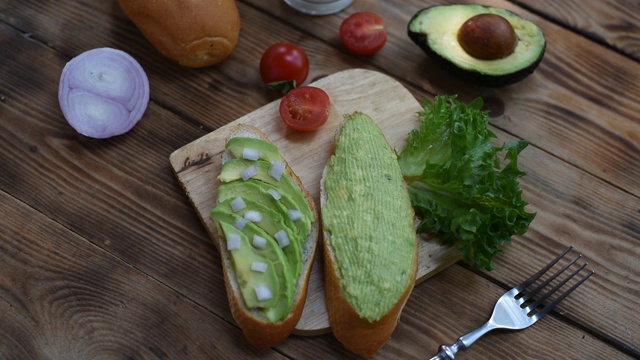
<point x="194" y="33"/>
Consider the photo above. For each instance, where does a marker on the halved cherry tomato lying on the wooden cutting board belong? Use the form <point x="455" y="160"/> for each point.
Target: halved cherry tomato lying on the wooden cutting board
<point x="305" y="108"/>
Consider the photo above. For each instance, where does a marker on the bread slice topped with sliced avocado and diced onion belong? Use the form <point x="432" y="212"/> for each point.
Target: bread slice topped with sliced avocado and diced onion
<point x="267" y="225"/>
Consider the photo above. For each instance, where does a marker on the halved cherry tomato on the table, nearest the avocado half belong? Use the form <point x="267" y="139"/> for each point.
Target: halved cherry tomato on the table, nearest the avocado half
<point x="363" y="33"/>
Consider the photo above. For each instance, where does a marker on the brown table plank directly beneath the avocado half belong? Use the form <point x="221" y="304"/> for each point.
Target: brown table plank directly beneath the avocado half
<point x="564" y="107"/>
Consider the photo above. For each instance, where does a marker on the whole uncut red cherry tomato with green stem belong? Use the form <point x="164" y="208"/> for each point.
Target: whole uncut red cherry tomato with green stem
<point x="283" y="63"/>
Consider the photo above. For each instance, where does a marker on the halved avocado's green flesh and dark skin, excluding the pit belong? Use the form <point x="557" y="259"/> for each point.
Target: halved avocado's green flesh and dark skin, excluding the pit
<point x="435" y="30"/>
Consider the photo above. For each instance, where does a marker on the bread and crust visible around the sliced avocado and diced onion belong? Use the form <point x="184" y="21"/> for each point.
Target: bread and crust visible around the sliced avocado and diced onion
<point x="258" y="329"/>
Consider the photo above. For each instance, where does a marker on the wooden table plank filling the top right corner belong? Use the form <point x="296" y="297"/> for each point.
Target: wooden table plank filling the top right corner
<point x="615" y="23"/>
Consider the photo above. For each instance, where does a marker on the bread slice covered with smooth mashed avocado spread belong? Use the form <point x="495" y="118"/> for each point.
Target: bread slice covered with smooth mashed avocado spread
<point x="370" y="246"/>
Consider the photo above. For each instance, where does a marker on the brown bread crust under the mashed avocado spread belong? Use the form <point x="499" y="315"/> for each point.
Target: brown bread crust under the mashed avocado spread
<point x="357" y="334"/>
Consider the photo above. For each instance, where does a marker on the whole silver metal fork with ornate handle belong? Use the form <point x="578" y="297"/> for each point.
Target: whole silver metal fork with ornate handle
<point x="519" y="307"/>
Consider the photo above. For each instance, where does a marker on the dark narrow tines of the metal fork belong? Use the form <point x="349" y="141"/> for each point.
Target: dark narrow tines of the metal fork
<point x="542" y="297"/>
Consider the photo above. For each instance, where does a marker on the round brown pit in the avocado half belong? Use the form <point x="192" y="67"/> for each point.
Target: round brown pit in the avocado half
<point x="487" y="37"/>
